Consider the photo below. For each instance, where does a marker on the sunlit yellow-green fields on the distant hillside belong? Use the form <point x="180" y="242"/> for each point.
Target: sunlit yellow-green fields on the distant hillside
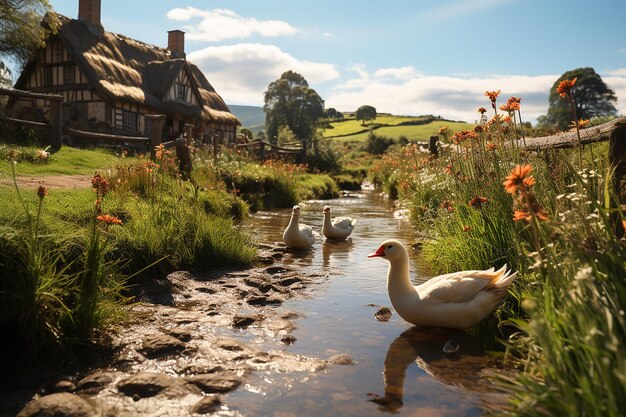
<point x="353" y="131"/>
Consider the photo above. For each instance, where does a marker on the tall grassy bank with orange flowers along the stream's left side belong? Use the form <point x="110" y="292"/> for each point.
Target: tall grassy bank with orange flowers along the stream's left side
<point x="69" y="256"/>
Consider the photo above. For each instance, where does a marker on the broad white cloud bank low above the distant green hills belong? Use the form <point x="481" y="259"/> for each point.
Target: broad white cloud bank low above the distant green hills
<point x="452" y="97"/>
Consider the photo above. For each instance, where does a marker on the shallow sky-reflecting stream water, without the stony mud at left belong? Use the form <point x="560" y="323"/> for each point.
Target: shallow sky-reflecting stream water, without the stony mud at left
<point x="397" y="368"/>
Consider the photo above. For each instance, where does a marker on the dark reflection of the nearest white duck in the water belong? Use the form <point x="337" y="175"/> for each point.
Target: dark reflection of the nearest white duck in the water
<point x="425" y="347"/>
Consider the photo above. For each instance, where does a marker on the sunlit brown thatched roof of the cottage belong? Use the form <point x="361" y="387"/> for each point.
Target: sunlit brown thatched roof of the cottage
<point x="125" y="69"/>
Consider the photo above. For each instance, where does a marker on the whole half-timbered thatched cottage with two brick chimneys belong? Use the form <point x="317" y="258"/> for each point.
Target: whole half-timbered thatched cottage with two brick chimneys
<point x="110" y="82"/>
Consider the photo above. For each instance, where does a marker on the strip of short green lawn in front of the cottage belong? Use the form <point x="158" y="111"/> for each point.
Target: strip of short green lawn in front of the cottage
<point x="67" y="161"/>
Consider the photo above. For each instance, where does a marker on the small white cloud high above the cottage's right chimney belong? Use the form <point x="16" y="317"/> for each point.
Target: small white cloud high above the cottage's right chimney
<point x="220" y="24"/>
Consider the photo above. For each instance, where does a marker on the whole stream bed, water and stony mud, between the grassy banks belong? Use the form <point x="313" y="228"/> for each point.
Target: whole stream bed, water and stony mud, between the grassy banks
<point x="300" y="333"/>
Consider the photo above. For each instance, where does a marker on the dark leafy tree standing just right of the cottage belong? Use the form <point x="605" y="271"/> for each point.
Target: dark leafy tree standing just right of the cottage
<point x="289" y="101"/>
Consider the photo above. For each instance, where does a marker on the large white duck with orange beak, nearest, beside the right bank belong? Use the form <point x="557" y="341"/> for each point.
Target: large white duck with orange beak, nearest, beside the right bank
<point x="457" y="300"/>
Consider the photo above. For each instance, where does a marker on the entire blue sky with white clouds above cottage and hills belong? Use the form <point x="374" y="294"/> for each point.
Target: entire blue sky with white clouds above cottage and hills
<point x="404" y="57"/>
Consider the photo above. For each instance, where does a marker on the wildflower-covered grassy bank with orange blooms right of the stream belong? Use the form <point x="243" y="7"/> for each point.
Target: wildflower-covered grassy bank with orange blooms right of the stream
<point x="485" y="202"/>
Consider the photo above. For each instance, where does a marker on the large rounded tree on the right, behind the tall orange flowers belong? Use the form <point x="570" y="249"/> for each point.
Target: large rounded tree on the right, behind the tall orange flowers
<point x="591" y="95"/>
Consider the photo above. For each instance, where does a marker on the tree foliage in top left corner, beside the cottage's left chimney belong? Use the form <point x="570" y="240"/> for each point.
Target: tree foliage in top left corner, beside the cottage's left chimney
<point x="21" y="28"/>
